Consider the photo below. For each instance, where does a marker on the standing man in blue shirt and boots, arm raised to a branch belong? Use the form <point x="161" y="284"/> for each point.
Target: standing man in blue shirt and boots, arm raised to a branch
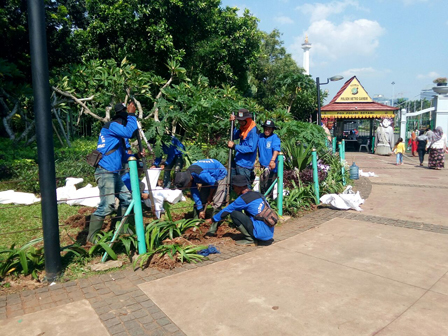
<point x="112" y="145"/>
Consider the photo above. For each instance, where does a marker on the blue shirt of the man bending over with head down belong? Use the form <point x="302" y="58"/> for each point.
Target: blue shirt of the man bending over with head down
<point x="206" y="172"/>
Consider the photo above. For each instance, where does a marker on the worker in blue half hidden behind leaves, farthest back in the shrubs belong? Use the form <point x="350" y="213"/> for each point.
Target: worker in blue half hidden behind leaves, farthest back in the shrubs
<point x="174" y="158"/>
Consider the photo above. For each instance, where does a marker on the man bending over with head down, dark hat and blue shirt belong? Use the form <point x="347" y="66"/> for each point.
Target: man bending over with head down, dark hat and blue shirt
<point x="207" y="181"/>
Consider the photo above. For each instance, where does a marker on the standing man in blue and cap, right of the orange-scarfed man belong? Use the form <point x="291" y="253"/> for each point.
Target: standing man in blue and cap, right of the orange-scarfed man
<point x="268" y="148"/>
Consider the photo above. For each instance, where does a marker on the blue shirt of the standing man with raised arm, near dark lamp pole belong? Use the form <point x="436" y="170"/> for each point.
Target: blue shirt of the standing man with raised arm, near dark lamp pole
<point x="113" y="135"/>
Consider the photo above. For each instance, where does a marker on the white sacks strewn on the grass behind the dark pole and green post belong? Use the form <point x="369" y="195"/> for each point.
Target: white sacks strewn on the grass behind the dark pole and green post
<point x="90" y="196"/>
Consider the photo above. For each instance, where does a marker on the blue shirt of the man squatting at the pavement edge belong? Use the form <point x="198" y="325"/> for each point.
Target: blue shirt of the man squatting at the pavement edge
<point x="252" y="203"/>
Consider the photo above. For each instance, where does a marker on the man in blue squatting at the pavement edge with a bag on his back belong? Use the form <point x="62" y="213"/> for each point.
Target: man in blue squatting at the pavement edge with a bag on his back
<point x="258" y="220"/>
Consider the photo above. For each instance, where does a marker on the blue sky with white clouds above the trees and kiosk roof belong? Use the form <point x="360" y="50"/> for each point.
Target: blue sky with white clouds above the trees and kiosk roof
<point x="381" y="42"/>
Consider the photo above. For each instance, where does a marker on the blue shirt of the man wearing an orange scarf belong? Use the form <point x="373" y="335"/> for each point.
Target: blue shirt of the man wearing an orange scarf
<point x="246" y="150"/>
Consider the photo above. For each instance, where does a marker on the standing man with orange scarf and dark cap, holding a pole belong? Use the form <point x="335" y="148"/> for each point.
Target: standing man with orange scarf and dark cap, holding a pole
<point x="246" y="150"/>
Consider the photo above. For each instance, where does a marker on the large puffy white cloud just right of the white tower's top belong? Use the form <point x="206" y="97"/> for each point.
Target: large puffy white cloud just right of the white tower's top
<point x="349" y="39"/>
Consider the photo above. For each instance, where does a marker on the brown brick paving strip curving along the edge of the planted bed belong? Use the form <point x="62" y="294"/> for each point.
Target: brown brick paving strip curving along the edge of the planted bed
<point x="125" y="310"/>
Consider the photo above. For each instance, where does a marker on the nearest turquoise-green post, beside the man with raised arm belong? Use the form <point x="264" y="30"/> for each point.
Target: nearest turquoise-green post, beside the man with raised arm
<point x="136" y="196"/>
